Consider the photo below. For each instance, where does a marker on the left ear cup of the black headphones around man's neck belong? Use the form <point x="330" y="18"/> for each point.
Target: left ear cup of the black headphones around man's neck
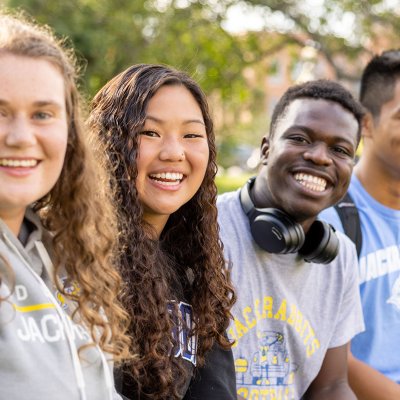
<point x="274" y="231"/>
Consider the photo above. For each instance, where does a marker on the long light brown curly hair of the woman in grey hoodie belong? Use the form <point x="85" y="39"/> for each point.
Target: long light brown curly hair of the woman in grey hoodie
<point x="78" y="211"/>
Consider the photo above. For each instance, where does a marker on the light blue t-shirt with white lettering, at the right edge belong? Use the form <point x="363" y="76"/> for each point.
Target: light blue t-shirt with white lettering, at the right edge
<point x="379" y="278"/>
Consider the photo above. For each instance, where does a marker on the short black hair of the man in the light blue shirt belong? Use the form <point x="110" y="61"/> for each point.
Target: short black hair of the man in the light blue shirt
<point x="378" y="81"/>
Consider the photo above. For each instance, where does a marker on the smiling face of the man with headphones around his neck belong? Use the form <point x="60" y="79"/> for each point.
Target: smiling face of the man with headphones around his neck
<point x="309" y="159"/>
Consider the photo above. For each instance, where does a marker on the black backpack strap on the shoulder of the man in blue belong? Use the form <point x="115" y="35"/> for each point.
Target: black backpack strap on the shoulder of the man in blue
<point x="350" y="218"/>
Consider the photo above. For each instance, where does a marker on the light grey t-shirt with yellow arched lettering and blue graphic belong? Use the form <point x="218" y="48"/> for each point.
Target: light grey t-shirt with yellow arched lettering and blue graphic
<point x="288" y="312"/>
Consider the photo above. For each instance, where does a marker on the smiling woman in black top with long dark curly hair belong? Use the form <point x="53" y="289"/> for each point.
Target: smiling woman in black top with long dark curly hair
<point x="156" y="125"/>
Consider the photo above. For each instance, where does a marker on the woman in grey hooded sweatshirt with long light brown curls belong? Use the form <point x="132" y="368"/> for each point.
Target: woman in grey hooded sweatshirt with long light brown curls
<point x="59" y="287"/>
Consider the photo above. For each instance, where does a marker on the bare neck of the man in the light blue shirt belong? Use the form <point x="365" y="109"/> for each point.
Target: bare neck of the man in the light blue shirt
<point x="382" y="183"/>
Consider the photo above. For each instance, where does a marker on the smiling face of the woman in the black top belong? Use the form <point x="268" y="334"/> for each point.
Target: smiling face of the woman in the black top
<point x="173" y="154"/>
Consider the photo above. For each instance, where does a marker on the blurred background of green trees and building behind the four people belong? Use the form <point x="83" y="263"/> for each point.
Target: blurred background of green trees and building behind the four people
<point x="244" y="53"/>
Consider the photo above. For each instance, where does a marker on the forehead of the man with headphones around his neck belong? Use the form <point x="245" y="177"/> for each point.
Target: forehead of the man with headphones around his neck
<point x="319" y="115"/>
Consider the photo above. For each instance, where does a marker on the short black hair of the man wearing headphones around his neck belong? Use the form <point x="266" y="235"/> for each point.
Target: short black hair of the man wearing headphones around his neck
<point x="321" y="89"/>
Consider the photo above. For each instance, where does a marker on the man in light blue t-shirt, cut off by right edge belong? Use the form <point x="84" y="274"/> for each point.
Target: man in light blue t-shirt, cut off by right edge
<point x="374" y="361"/>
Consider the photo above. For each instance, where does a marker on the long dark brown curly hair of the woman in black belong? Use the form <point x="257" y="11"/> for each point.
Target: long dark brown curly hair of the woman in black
<point x="189" y="244"/>
